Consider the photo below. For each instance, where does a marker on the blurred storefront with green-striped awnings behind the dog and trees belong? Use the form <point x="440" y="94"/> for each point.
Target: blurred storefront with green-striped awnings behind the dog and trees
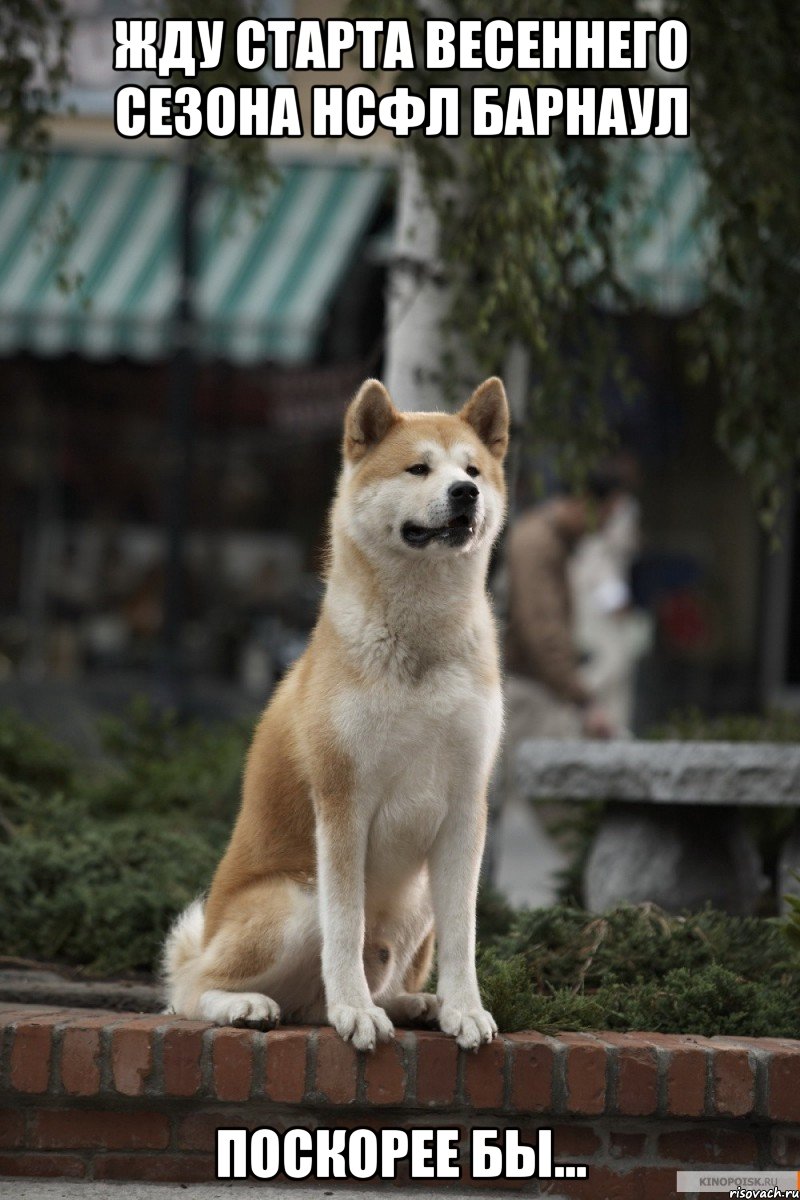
<point x="287" y="317"/>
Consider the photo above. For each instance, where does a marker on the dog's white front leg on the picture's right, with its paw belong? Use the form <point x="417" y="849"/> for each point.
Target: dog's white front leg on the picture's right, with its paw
<point x="455" y="865"/>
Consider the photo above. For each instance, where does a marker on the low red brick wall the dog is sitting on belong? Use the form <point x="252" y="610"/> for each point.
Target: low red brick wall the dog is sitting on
<point x="113" y="1096"/>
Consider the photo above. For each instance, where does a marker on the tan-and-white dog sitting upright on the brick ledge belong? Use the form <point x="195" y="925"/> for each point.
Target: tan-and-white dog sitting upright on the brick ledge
<point x="364" y="803"/>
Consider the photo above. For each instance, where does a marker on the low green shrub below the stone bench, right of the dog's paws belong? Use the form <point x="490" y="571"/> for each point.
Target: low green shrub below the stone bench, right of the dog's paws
<point x="639" y="969"/>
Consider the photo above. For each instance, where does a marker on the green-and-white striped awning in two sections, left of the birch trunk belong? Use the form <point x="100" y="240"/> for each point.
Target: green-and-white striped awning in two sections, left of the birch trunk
<point x="89" y="257"/>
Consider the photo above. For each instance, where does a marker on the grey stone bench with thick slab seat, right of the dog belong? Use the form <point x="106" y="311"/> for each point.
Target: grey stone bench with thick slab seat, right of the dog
<point x="672" y="832"/>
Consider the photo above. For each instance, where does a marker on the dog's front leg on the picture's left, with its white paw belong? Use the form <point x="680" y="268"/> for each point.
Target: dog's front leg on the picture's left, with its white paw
<point x="341" y="856"/>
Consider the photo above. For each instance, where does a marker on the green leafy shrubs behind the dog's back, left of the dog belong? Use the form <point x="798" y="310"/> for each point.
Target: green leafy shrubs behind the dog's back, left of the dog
<point x="95" y="863"/>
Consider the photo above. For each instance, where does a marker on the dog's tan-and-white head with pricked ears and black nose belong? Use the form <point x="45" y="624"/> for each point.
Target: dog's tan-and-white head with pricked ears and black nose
<point x="425" y="484"/>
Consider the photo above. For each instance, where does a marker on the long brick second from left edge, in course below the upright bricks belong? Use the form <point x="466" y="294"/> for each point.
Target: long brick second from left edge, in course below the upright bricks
<point x="91" y="1130"/>
